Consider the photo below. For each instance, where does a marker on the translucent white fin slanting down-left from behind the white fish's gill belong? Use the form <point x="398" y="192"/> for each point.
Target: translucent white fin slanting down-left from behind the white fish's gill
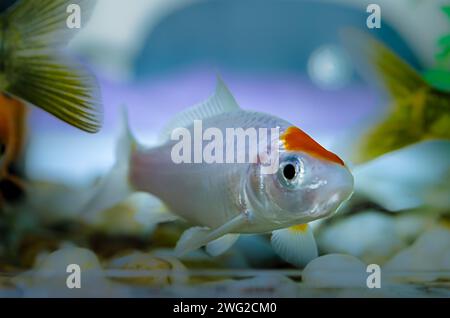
<point x="197" y="237"/>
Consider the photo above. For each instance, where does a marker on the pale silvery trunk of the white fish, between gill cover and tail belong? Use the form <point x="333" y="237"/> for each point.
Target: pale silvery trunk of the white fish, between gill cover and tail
<point x="155" y="172"/>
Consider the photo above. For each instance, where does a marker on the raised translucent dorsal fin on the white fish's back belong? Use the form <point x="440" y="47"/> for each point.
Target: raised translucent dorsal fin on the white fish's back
<point x="221" y="102"/>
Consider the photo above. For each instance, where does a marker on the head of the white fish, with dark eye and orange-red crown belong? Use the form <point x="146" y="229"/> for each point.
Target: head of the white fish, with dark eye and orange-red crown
<point x="310" y="182"/>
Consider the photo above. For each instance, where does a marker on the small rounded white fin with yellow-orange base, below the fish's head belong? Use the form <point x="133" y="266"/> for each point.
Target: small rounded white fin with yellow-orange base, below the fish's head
<point x="296" y="245"/>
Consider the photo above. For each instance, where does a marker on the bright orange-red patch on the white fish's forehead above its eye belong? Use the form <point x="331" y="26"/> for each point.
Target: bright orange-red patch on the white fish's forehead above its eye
<point x="294" y="139"/>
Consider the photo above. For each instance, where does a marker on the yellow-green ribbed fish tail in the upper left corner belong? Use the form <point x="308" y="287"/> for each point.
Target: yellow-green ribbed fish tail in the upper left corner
<point x="33" y="69"/>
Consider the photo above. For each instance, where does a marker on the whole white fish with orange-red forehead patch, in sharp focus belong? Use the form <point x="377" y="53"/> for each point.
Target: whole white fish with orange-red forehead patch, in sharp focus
<point x="223" y="200"/>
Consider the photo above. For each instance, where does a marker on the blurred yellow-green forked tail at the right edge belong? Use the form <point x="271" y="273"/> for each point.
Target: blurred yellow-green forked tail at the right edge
<point x="416" y="107"/>
